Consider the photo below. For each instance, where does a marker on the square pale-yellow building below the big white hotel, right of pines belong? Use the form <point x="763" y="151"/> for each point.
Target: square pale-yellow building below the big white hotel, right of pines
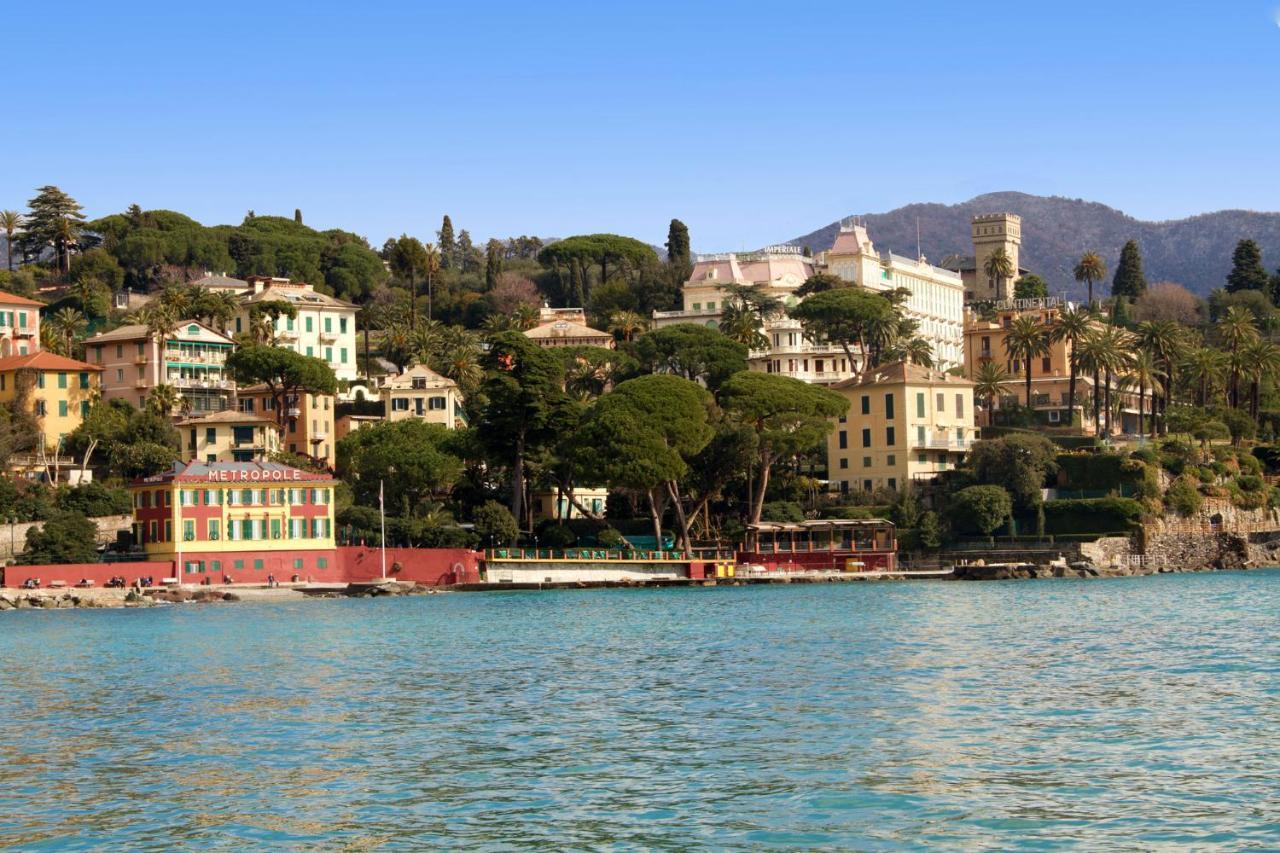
<point x="906" y="423"/>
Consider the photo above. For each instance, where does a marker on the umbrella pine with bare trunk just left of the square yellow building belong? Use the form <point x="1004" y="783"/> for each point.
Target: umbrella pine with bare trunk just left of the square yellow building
<point x="789" y="417"/>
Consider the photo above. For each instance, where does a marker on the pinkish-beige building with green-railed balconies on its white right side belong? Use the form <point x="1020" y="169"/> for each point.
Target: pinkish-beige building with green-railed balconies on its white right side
<point x="193" y="359"/>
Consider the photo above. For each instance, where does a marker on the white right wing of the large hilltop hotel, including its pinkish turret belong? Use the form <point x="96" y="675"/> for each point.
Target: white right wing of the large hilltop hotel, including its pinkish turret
<point x="936" y="300"/>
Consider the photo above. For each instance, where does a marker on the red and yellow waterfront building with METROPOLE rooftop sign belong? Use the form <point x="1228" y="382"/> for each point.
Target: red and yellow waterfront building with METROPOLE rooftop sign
<point x="222" y="521"/>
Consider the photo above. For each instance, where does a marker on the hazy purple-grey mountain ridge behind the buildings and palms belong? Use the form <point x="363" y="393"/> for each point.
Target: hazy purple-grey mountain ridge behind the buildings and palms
<point x="1195" y="253"/>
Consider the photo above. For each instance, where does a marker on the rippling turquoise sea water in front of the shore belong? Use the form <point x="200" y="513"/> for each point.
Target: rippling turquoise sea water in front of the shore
<point x="1100" y="714"/>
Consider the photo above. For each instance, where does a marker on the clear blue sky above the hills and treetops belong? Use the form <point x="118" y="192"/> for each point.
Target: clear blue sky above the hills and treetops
<point x="751" y="122"/>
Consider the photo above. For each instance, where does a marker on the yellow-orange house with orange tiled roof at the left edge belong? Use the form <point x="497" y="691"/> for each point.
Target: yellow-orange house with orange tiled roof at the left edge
<point x="58" y="391"/>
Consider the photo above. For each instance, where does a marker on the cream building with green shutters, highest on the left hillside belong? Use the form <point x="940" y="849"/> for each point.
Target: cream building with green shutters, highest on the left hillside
<point x="324" y="327"/>
